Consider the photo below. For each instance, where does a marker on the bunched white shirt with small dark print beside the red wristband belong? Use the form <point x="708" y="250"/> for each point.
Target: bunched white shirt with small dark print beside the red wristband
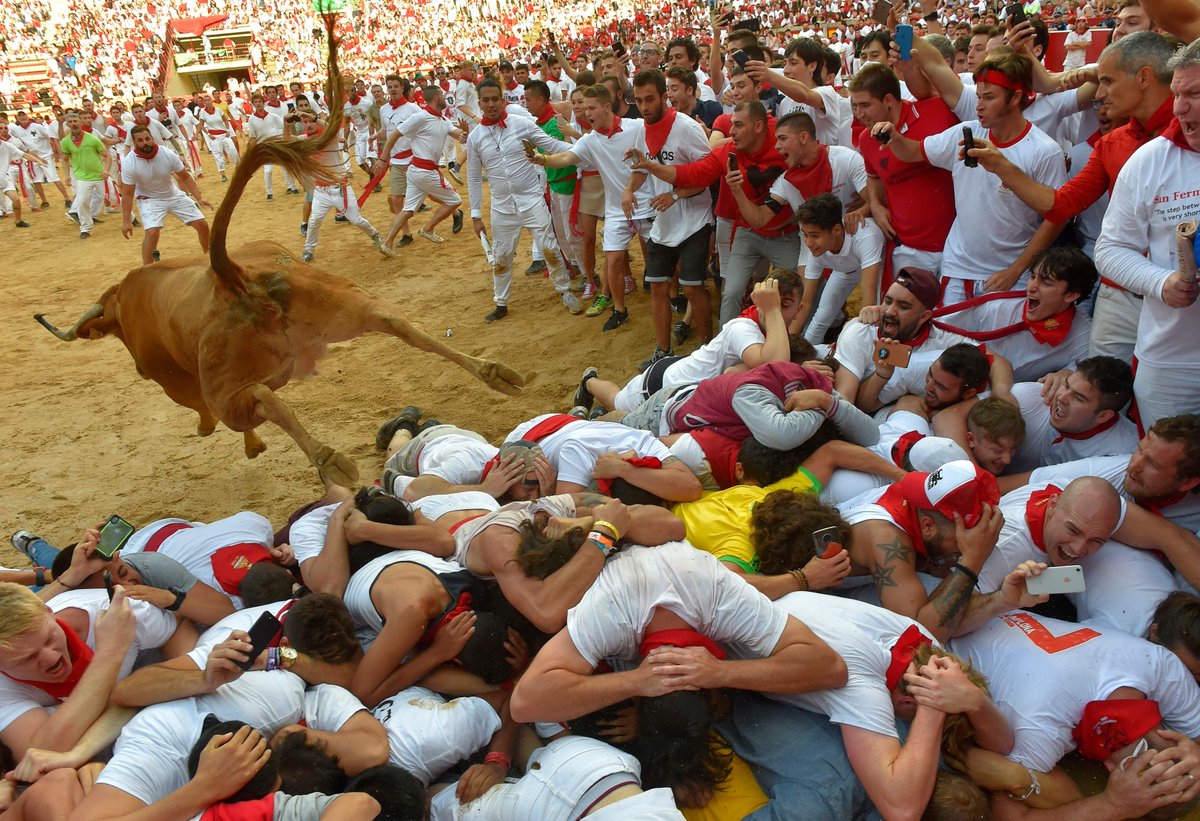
<point x="428" y="735"/>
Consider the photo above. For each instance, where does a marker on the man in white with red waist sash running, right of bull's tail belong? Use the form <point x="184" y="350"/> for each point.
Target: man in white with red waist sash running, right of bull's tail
<point x="427" y="130"/>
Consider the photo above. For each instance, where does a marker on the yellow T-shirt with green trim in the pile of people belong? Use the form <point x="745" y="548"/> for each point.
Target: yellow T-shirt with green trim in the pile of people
<point x="721" y="522"/>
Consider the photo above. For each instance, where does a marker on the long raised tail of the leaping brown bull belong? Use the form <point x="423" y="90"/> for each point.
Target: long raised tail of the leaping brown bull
<point x="301" y="157"/>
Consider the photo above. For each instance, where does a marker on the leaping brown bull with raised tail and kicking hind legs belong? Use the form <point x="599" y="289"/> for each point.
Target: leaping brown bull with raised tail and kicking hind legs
<point x="221" y="335"/>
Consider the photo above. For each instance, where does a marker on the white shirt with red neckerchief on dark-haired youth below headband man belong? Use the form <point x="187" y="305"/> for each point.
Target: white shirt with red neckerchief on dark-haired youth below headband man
<point x="1035" y="349"/>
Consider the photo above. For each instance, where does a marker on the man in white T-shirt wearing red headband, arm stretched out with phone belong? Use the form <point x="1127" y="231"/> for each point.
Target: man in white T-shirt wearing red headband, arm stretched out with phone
<point x="995" y="237"/>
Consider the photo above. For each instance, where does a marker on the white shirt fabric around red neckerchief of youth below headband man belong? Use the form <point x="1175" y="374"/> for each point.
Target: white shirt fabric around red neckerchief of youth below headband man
<point x="1031" y="359"/>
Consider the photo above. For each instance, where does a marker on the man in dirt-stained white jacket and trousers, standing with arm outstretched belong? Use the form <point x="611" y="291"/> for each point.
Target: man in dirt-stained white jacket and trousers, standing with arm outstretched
<point x="517" y="188"/>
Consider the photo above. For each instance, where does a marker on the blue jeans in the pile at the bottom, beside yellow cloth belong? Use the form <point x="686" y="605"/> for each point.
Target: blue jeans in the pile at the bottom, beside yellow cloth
<point x="799" y="759"/>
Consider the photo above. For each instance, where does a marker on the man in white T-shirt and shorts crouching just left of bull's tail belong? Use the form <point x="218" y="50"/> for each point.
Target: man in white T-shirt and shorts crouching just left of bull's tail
<point x="149" y="176"/>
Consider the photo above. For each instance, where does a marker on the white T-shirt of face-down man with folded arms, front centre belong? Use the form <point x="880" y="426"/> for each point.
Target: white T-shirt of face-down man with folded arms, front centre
<point x="610" y="621"/>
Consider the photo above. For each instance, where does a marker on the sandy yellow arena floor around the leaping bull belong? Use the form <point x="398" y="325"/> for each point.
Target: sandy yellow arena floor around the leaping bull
<point x="88" y="438"/>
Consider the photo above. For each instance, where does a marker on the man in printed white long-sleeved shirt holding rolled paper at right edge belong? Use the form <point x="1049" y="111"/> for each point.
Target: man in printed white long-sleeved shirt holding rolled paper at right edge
<point x="1138" y="250"/>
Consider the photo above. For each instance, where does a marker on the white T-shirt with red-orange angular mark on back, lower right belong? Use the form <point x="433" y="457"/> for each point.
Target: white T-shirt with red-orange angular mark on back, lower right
<point x="1042" y="680"/>
